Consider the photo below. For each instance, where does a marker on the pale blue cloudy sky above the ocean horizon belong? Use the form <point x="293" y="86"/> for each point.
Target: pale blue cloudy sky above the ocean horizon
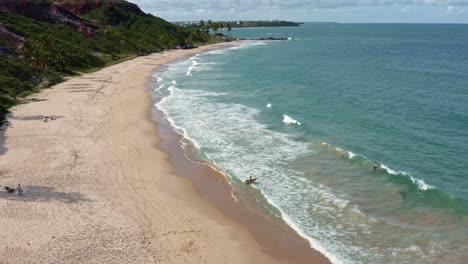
<point x="344" y="11"/>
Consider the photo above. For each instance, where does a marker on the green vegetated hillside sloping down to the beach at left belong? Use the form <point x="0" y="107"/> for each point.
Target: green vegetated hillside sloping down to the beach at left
<point x="38" y="50"/>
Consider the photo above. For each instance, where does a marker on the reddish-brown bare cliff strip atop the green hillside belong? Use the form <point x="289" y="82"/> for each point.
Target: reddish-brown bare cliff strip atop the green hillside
<point x="46" y="11"/>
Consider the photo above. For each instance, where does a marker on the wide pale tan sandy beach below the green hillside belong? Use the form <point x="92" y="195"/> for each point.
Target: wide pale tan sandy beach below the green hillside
<point x="99" y="189"/>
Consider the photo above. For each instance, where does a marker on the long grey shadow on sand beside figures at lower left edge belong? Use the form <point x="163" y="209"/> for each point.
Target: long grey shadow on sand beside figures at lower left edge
<point x="43" y="194"/>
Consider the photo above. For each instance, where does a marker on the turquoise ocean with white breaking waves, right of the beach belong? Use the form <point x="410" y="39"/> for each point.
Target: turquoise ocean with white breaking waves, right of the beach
<point x="311" y="116"/>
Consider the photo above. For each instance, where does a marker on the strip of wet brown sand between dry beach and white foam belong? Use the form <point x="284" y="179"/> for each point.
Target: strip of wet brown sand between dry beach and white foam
<point x="275" y="237"/>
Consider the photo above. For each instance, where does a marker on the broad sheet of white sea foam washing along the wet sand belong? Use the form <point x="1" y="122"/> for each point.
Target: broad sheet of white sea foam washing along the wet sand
<point x="260" y="147"/>
